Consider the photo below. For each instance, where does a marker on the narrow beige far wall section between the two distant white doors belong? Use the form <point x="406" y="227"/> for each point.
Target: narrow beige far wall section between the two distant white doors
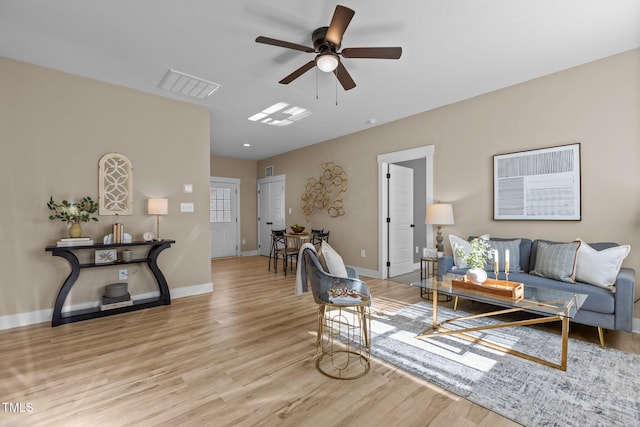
<point x="245" y="170"/>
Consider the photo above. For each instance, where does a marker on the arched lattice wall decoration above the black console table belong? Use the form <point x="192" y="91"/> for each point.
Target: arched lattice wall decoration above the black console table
<point x="115" y="178"/>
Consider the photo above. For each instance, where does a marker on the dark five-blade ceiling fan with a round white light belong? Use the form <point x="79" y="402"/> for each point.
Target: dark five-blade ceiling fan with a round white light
<point x="326" y="45"/>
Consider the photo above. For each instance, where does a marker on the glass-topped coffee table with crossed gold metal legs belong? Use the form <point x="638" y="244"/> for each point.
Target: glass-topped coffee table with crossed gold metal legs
<point x="547" y="305"/>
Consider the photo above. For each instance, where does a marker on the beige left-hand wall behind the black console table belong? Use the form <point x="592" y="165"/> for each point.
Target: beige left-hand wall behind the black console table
<point x="54" y="128"/>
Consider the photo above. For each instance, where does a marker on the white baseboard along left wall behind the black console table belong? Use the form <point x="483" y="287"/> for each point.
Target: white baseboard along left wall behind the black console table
<point x="40" y="316"/>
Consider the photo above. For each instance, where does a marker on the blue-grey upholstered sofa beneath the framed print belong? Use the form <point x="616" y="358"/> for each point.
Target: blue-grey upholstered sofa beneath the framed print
<point x="603" y="308"/>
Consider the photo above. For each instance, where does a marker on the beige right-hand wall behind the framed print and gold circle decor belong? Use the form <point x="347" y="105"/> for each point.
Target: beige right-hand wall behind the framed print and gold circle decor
<point x="597" y="104"/>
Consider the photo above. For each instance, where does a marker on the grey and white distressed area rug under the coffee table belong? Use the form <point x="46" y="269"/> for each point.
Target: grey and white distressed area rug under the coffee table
<point x="601" y="387"/>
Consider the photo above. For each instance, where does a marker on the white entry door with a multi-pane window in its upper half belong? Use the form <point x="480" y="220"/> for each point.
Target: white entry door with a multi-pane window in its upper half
<point x="223" y="217"/>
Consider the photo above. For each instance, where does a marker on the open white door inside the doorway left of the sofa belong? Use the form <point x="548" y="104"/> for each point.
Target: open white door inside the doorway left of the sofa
<point x="400" y="223"/>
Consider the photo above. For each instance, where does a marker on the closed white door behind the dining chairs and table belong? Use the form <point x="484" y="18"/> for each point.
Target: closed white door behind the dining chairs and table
<point x="270" y="210"/>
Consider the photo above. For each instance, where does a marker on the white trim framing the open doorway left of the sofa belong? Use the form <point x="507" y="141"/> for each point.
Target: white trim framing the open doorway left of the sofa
<point x="384" y="160"/>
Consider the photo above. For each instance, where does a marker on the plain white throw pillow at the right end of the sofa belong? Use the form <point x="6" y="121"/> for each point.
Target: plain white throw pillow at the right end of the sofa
<point x="600" y="268"/>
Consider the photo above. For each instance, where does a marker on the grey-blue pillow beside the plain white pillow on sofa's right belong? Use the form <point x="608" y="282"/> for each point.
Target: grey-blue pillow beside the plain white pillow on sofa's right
<point x="557" y="261"/>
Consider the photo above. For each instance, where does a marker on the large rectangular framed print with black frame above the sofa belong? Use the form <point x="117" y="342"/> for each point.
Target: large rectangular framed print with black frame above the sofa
<point x="542" y="184"/>
